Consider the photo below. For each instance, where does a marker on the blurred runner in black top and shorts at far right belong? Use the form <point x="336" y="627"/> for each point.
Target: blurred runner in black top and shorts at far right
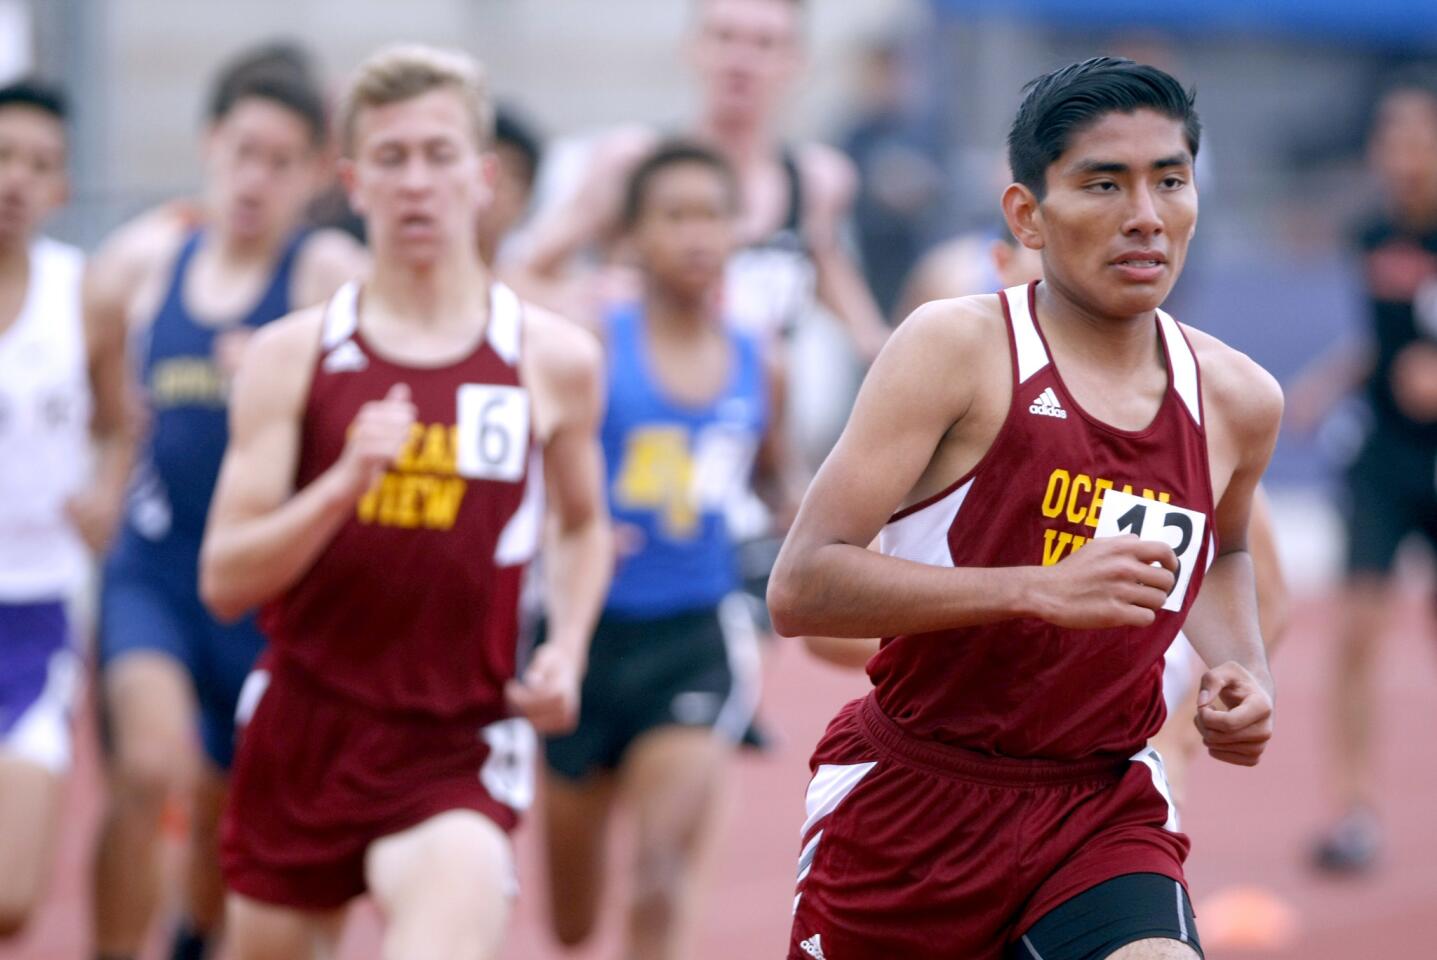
<point x="1390" y="488"/>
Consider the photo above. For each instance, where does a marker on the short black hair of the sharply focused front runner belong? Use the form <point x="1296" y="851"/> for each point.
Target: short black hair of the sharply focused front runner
<point x="1060" y="106"/>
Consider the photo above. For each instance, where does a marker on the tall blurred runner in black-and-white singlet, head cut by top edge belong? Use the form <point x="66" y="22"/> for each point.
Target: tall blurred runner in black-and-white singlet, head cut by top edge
<point x="795" y="199"/>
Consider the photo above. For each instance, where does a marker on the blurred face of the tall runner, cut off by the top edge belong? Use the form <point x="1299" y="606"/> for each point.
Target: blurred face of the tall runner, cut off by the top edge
<point x="747" y="54"/>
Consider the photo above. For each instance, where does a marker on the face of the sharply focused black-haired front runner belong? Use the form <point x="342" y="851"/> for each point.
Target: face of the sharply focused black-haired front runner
<point x="1120" y="212"/>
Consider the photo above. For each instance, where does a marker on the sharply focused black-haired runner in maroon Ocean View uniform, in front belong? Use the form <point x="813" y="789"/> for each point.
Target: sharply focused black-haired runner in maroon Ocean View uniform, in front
<point x="994" y="795"/>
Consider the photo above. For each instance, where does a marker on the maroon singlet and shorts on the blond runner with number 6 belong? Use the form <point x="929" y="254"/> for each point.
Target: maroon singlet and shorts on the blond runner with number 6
<point x="380" y="702"/>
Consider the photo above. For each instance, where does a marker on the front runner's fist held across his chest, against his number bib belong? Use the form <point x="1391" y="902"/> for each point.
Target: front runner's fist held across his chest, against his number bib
<point x="1109" y="583"/>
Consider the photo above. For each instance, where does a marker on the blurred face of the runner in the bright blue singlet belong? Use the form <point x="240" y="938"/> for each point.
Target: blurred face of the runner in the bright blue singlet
<point x="685" y="232"/>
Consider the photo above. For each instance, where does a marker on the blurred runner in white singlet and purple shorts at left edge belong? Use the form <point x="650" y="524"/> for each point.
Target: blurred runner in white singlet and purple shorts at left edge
<point x="60" y="384"/>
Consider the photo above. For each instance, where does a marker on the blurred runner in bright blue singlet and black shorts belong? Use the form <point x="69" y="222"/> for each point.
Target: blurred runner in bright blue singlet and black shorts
<point x="673" y="668"/>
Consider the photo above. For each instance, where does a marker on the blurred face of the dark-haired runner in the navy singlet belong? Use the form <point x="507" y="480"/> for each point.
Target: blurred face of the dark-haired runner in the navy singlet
<point x="264" y="167"/>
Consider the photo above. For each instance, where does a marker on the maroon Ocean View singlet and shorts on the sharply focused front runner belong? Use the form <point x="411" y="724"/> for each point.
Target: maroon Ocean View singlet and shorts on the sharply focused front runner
<point x="998" y="771"/>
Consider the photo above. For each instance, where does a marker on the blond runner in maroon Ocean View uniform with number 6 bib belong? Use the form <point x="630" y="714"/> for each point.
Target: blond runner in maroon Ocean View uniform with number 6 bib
<point x="383" y="492"/>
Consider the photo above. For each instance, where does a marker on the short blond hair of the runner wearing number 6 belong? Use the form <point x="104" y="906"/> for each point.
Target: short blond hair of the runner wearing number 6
<point x="405" y="71"/>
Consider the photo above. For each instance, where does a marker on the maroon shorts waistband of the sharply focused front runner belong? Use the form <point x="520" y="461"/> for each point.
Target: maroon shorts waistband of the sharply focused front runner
<point x="946" y="760"/>
